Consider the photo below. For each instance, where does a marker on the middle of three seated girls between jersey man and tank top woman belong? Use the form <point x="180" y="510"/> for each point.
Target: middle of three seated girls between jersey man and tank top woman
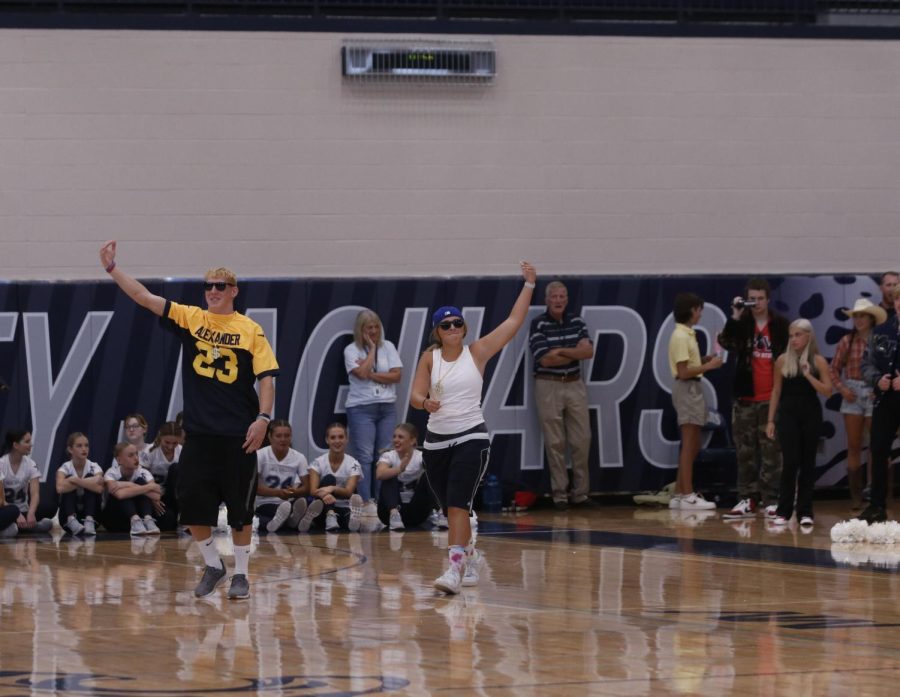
<point x="332" y="480"/>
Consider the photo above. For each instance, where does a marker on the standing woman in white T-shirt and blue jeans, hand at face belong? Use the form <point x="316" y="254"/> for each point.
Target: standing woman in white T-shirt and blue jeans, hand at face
<point x="373" y="370"/>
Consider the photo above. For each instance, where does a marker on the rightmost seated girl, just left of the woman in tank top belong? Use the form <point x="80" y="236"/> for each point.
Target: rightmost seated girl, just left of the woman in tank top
<point x="405" y="499"/>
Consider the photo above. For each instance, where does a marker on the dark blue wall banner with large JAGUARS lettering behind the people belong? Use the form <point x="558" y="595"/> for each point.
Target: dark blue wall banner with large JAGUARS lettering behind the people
<point x="79" y="356"/>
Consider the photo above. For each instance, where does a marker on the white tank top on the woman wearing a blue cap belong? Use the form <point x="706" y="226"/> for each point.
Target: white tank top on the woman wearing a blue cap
<point x="457" y="385"/>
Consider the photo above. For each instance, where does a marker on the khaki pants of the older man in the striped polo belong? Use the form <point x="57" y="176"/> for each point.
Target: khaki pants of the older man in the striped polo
<point x="563" y="413"/>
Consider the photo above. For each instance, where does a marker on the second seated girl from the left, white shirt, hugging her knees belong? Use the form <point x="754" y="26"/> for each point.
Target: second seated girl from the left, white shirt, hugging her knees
<point x="79" y="484"/>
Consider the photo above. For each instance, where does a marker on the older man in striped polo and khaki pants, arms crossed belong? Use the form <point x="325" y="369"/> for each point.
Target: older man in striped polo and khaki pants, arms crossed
<point x="559" y="340"/>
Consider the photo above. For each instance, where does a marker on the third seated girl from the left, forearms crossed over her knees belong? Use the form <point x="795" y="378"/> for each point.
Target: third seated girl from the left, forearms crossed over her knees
<point x="133" y="495"/>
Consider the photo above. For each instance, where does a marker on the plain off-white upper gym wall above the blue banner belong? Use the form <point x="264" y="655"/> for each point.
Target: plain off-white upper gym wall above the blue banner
<point x="587" y="155"/>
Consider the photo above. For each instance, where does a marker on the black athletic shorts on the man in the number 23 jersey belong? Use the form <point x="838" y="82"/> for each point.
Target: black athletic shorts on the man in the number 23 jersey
<point x="214" y="470"/>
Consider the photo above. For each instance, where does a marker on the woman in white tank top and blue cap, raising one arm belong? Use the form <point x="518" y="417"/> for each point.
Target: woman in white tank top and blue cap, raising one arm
<point x="448" y="385"/>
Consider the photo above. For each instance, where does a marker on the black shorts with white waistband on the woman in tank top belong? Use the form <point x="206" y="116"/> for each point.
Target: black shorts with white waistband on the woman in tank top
<point x="454" y="472"/>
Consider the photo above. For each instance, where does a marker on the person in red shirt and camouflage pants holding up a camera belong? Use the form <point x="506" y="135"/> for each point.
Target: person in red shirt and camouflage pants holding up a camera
<point x="755" y="335"/>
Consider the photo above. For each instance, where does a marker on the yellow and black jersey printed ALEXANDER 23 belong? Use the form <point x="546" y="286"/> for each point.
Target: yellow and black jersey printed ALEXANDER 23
<point x="222" y="357"/>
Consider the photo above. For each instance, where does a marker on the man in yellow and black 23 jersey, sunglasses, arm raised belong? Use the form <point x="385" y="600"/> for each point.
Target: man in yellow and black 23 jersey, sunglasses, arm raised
<point x="224" y="353"/>
